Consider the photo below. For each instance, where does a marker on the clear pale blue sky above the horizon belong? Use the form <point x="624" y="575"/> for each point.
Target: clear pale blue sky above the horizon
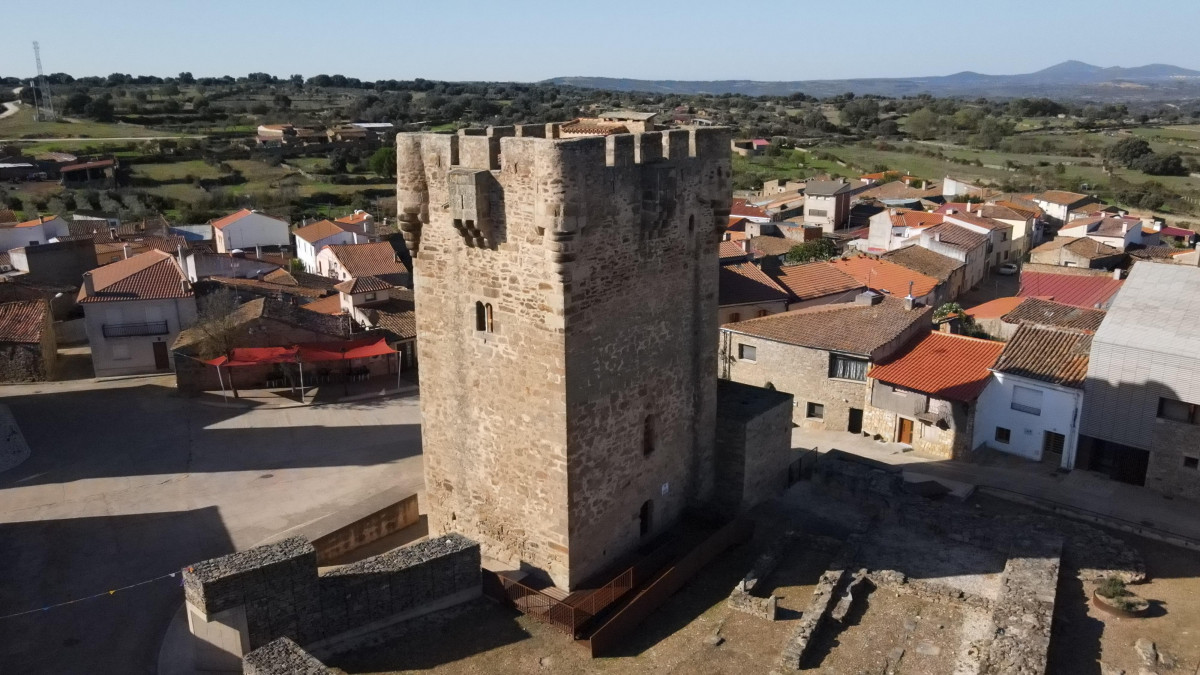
<point x="521" y="40"/>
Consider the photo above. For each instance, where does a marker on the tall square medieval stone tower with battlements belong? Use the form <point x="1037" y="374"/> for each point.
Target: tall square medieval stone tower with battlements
<point x="567" y="327"/>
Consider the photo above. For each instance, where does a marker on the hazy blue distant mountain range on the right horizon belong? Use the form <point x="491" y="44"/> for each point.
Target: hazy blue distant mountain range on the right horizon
<point x="1069" y="80"/>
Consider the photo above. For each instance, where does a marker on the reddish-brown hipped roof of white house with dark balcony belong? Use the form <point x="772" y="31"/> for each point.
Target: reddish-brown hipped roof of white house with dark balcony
<point x="147" y="277"/>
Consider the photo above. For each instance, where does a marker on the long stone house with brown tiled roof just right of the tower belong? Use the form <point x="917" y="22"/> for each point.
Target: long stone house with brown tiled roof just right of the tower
<point x="821" y="355"/>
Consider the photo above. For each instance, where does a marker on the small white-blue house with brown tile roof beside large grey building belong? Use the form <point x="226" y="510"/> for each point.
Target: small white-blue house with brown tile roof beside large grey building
<point x="1033" y="405"/>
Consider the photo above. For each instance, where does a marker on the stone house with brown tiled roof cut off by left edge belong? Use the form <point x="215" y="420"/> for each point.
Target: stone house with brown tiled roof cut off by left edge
<point x="28" y="349"/>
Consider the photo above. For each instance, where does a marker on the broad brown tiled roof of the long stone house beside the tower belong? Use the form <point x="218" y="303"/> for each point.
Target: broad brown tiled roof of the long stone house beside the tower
<point x="844" y="327"/>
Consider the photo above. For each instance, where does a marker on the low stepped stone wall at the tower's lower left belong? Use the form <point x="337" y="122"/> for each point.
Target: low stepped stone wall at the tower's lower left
<point x="281" y="595"/>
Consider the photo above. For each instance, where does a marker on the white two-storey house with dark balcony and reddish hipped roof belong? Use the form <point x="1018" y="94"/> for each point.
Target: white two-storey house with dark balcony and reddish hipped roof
<point x="134" y="310"/>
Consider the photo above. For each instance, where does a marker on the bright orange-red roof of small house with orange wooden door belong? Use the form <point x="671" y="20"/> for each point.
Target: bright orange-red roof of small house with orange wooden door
<point x="943" y="366"/>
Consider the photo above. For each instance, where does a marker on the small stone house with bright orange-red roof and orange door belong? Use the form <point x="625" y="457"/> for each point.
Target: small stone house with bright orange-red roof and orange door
<point x="926" y="397"/>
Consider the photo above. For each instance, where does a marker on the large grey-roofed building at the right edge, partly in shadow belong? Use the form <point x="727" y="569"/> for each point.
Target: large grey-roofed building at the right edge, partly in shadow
<point x="1142" y="397"/>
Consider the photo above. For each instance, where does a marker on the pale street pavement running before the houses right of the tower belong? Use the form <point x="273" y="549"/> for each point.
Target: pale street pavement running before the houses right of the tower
<point x="1083" y="491"/>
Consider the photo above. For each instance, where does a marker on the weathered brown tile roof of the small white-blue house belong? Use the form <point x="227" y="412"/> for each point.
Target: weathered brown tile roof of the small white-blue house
<point x="1049" y="355"/>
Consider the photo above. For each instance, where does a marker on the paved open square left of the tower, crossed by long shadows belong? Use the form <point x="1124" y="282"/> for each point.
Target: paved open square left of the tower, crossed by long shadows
<point x="127" y="482"/>
